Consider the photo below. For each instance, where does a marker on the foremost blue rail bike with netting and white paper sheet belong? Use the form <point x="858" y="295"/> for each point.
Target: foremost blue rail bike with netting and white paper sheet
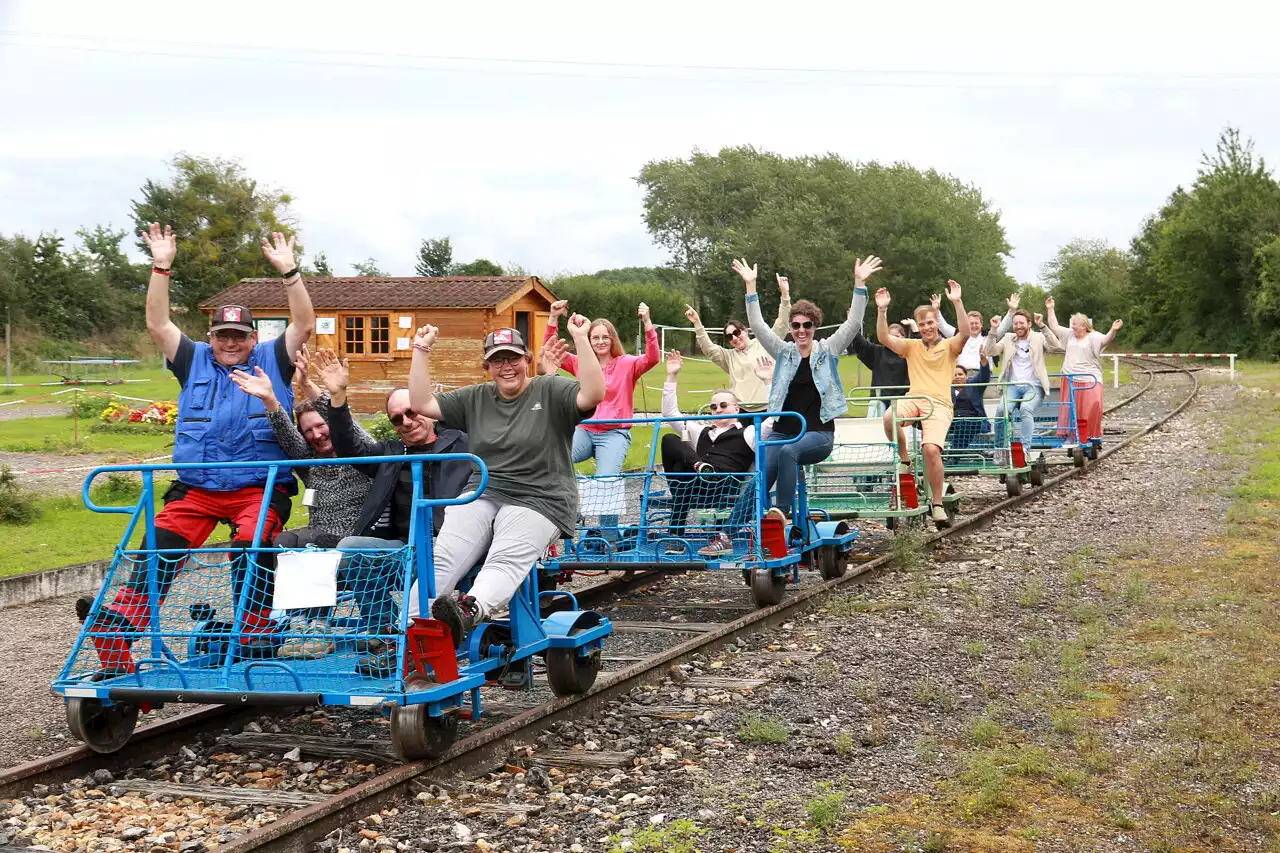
<point x="176" y="646"/>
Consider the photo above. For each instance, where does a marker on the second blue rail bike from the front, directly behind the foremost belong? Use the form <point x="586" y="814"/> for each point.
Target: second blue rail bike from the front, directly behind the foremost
<point x="659" y="522"/>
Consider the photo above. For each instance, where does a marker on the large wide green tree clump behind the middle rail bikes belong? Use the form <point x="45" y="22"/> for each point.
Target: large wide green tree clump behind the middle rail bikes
<point x="810" y="218"/>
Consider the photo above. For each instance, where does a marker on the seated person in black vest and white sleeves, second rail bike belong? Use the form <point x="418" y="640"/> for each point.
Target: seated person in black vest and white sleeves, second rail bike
<point x="703" y="460"/>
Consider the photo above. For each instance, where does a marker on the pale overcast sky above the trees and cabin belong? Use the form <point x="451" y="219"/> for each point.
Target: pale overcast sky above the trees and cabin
<point x="518" y="130"/>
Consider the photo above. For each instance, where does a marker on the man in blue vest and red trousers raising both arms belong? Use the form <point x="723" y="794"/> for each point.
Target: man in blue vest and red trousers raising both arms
<point x="217" y="423"/>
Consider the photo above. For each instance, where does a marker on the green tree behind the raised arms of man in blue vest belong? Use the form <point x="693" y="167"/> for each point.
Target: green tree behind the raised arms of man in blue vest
<point x="221" y="216"/>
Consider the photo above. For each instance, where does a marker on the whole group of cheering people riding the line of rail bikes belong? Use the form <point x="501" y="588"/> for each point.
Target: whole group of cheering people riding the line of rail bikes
<point x="239" y="404"/>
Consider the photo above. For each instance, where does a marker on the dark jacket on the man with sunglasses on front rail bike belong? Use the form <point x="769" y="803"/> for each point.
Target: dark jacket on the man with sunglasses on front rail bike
<point x="444" y="480"/>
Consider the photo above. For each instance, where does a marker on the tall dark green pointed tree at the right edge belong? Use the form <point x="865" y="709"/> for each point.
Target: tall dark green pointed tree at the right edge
<point x="1205" y="266"/>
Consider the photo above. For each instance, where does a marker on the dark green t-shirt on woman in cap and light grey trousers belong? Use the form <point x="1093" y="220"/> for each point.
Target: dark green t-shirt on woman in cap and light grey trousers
<point x="527" y="444"/>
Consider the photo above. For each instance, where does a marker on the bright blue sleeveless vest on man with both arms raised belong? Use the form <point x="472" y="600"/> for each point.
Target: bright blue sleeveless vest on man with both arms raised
<point x="221" y="423"/>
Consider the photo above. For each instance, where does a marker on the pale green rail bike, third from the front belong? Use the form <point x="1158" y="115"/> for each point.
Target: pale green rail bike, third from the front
<point x="863" y="477"/>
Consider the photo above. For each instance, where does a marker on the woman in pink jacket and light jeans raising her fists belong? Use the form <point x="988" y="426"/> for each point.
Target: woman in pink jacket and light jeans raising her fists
<point x="609" y="444"/>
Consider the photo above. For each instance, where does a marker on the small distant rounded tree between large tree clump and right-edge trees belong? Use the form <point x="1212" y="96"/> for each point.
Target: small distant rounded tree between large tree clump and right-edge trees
<point x="1090" y="277"/>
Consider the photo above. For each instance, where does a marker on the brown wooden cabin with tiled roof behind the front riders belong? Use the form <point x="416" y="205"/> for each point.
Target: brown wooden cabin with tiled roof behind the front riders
<point x="372" y="322"/>
